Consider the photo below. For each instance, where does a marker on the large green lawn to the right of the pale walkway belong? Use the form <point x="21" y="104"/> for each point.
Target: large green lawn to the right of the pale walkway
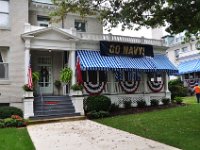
<point x="178" y="127"/>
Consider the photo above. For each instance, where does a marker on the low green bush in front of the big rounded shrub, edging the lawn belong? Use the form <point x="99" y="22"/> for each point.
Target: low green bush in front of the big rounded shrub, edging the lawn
<point x="95" y="115"/>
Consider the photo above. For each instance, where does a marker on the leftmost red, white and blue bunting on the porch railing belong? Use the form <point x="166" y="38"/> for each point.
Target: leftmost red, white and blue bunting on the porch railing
<point x="94" y="89"/>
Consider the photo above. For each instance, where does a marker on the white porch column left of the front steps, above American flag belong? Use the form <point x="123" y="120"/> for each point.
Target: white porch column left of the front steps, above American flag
<point x="26" y="59"/>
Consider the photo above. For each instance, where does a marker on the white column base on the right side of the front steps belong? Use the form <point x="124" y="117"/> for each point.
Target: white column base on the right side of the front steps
<point x="78" y="104"/>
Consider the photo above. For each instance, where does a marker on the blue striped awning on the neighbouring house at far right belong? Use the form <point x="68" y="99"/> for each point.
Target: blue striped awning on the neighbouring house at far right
<point x="189" y="66"/>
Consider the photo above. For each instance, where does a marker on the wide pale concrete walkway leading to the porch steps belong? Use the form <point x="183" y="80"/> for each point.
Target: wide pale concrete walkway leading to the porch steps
<point x="88" y="135"/>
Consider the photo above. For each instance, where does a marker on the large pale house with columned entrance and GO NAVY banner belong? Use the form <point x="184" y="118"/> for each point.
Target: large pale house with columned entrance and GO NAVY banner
<point x="117" y="66"/>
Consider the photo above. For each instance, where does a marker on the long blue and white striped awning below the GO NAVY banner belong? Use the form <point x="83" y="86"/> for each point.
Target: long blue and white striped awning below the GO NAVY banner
<point x="93" y="60"/>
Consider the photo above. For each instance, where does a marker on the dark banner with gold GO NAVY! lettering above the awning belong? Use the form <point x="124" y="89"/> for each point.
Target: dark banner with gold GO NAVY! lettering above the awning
<point x="125" y="49"/>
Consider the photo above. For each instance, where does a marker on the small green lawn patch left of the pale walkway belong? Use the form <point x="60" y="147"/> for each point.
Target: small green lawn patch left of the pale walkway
<point x="15" y="139"/>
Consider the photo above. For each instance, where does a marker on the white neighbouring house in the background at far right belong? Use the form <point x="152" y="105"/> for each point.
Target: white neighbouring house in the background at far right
<point x="184" y="55"/>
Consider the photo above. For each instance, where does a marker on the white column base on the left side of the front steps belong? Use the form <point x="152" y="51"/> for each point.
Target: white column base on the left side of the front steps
<point x="28" y="108"/>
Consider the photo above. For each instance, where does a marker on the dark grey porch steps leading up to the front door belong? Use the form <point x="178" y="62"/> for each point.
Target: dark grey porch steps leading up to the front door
<point x="53" y="106"/>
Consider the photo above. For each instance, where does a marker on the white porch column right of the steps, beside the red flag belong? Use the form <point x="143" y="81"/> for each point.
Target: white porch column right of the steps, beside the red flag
<point x="72" y="65"/>
